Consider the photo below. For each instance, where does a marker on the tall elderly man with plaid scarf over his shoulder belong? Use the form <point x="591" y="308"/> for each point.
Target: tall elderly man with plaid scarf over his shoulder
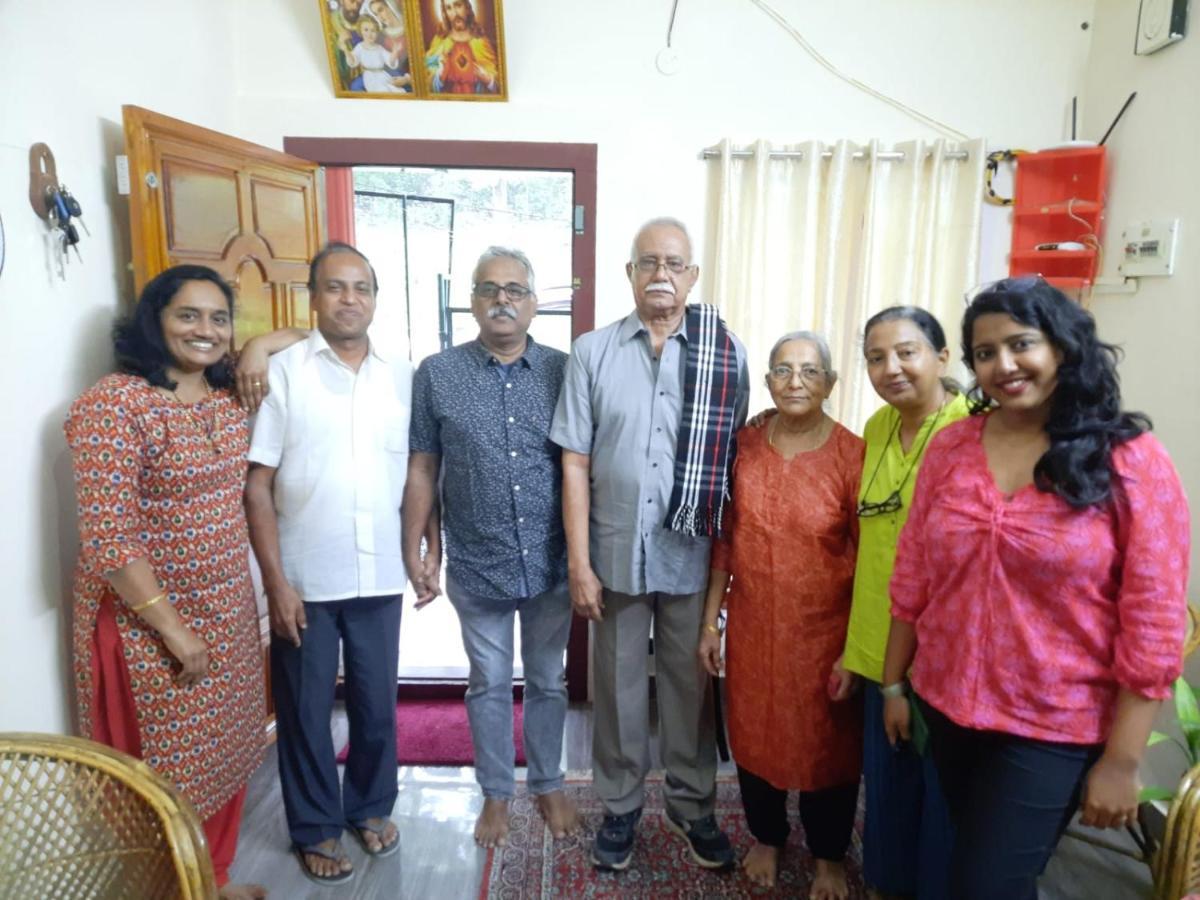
<point x="646" y="421"/>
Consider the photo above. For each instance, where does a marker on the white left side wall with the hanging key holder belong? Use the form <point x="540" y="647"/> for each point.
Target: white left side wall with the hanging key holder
<point x="57" y="332"/>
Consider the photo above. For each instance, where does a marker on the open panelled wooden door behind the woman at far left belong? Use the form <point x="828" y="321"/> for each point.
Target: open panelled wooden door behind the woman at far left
<point x="248" y="212"/>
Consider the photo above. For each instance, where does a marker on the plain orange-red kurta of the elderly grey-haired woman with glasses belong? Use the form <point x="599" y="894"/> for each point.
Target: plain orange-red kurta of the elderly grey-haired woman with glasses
<point x="790" y="545"/>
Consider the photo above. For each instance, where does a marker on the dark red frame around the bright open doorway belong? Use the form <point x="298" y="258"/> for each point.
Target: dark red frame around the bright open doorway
<point x="578" y="159"/>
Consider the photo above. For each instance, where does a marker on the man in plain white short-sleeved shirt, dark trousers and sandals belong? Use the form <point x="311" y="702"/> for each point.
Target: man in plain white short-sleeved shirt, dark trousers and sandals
<point x="328" y="460"/>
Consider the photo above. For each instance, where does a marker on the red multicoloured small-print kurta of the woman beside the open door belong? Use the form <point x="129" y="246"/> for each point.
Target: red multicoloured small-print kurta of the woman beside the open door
<point x="152" y="483"/>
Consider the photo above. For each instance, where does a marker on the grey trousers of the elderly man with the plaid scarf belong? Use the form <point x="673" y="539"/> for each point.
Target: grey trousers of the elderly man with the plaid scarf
<point x="621" y="740"/>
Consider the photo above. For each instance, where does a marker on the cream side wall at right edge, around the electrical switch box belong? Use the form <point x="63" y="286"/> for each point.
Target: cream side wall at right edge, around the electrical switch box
<point x="1153" y="176"/>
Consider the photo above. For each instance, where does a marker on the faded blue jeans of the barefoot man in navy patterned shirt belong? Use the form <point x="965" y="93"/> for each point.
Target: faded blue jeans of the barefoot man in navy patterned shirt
<point x="488" y="638"/>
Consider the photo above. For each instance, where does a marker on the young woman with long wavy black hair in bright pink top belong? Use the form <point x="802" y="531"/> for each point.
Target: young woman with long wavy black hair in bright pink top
<point x="1039" y="593"/>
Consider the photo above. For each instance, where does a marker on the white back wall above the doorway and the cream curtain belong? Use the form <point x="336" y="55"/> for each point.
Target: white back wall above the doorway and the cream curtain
<point x="585" y="73"/>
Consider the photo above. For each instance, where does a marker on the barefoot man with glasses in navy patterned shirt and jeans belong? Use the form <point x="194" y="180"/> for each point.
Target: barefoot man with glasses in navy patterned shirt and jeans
<point x="482" y="417"/>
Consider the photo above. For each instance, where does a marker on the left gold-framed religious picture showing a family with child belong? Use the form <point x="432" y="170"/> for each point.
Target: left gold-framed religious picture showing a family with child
<point x="369" y="46"/>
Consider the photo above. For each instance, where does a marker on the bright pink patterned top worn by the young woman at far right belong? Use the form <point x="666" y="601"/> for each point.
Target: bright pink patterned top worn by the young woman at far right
<point x="1031" y="615"/>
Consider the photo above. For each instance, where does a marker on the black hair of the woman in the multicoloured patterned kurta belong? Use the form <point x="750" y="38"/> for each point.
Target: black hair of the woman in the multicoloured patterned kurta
<point x="137" y="339"/>
